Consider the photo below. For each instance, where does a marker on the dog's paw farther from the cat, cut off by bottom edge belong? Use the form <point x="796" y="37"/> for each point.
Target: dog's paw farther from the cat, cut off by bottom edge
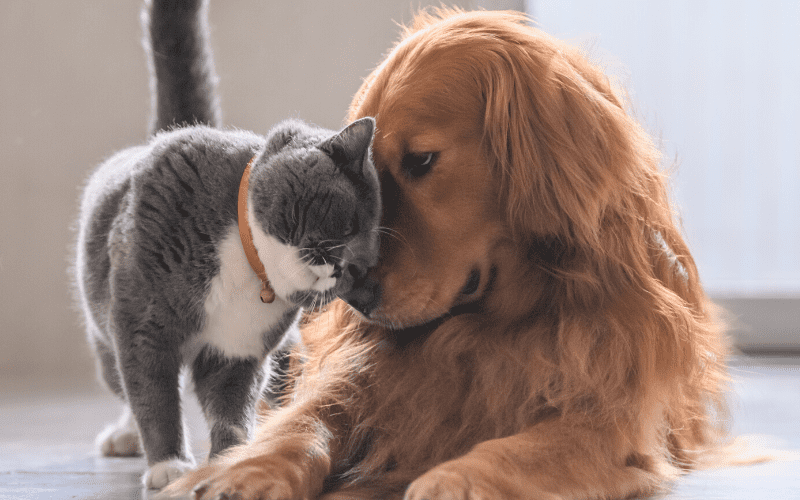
<point x="443" y="484"/>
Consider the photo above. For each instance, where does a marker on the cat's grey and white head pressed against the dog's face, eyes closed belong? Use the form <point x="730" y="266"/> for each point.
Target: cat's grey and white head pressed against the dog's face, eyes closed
<point x="315" y="208"/>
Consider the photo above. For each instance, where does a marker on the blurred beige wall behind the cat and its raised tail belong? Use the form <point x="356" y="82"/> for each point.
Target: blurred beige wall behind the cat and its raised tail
<point x="74" y="88"/>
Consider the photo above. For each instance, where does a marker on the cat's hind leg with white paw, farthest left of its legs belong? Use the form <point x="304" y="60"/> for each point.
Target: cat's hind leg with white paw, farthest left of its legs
<point x="120" y="439"/>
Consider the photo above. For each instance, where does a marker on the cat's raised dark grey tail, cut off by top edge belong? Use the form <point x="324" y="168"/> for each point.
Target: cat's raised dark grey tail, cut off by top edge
<point x="183" y="82"/>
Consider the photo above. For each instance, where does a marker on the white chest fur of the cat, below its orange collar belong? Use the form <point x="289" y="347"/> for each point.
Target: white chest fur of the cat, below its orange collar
<point x="236" y="319"/>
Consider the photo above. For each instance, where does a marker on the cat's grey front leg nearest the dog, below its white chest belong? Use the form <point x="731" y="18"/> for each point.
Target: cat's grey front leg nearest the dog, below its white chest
<point x="228" y="390"/>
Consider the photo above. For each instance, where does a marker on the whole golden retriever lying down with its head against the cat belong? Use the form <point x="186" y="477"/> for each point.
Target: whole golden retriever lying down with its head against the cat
<point x="536" y="327"/>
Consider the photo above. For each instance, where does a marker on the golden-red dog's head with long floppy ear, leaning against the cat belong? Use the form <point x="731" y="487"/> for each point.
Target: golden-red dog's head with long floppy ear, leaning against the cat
<point x="500" y="150"/>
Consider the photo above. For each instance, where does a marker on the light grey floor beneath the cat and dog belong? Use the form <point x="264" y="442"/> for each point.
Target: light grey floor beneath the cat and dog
<point x="47" y="433"/>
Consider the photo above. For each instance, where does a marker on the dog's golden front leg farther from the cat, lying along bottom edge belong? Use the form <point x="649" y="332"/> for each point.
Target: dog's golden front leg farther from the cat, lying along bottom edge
<point x="549" y="461"/>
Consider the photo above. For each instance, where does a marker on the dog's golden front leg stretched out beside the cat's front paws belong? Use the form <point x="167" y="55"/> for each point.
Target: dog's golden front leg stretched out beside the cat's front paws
<point x="288" y="459"/>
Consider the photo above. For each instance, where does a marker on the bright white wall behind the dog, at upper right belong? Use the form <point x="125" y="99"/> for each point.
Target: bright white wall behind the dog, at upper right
<point x="719" y="82"/>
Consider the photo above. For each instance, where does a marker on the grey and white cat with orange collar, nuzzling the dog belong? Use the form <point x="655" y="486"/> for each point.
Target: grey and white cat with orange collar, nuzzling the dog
<point x="161" y="272"/>
